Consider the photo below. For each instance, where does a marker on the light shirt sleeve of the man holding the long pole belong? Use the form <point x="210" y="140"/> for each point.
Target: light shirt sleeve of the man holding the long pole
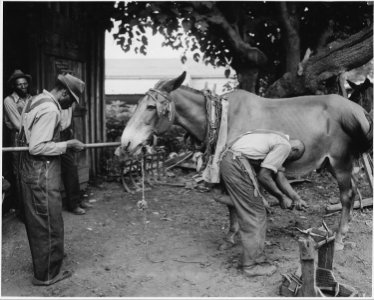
<point x="41" y="135"/>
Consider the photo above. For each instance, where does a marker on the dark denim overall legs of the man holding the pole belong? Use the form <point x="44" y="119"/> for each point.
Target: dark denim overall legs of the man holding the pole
<point x="40" y="182"/>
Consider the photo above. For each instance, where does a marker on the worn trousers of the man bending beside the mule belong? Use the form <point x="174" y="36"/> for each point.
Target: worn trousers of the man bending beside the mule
<point x="250" y="209"/>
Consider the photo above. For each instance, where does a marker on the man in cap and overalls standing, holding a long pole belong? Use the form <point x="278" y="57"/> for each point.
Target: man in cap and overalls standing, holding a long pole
<point x="41" y="175"/>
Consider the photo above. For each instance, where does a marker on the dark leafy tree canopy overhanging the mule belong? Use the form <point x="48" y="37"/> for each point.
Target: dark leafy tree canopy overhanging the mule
<point x="257" y="39"/>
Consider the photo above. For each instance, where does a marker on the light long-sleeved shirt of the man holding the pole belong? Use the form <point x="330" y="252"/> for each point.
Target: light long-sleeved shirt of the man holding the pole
<point x="39" y="125"/>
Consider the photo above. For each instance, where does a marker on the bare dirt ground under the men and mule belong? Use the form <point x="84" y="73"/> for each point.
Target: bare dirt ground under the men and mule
<point x="171" y="249"/>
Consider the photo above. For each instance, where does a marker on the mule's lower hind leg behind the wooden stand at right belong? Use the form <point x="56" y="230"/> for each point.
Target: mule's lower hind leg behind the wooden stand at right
<point x="347" y="197"/>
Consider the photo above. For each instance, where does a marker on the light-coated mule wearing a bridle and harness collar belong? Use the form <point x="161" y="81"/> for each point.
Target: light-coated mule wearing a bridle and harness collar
<point x="333" y="129"/>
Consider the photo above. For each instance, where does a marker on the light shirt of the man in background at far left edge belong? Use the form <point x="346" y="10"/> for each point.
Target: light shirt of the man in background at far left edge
<point x="13" y="106"/>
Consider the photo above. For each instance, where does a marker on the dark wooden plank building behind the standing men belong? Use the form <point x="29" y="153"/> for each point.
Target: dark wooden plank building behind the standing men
<point x="45" y="39"/>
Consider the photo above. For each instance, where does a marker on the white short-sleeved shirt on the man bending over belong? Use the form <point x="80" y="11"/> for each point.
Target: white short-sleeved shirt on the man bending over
<point x="272" y="148"/>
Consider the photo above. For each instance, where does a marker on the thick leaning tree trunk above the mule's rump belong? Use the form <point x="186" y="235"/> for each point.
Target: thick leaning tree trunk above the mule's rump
<point x="338" y="57"/>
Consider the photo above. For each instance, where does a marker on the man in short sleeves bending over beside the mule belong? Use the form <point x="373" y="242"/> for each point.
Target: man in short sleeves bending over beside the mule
<point x="261" y="152"/>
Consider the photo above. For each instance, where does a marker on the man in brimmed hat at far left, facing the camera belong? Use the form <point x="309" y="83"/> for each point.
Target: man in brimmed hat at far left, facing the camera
<point x="19" y="83"/>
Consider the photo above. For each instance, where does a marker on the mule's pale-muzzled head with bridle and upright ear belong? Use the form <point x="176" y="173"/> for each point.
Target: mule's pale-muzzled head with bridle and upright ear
<point x="154" y="114"/>
